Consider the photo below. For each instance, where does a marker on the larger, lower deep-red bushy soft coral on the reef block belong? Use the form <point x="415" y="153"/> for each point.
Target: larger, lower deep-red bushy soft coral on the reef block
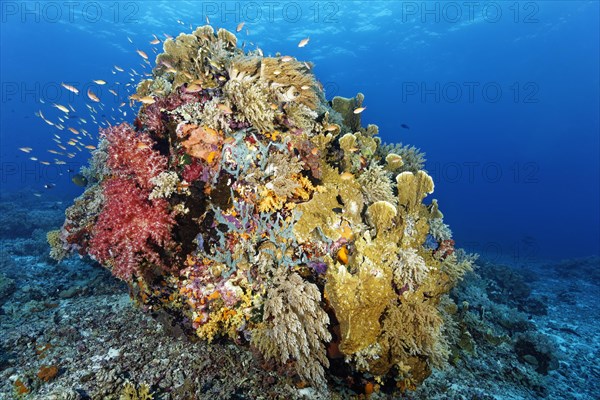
<point x="130" y="228"/>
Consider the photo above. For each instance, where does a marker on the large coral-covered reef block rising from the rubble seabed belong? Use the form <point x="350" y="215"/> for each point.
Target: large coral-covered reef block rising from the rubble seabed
<point x="240" y="202"/>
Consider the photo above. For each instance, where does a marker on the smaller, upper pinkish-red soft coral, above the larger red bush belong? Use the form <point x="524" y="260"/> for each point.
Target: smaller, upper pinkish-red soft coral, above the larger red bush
<point x="130" y="154"/>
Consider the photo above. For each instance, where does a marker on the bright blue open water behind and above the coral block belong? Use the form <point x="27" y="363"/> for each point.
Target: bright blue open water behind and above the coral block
<point x="502" y="96"/>
